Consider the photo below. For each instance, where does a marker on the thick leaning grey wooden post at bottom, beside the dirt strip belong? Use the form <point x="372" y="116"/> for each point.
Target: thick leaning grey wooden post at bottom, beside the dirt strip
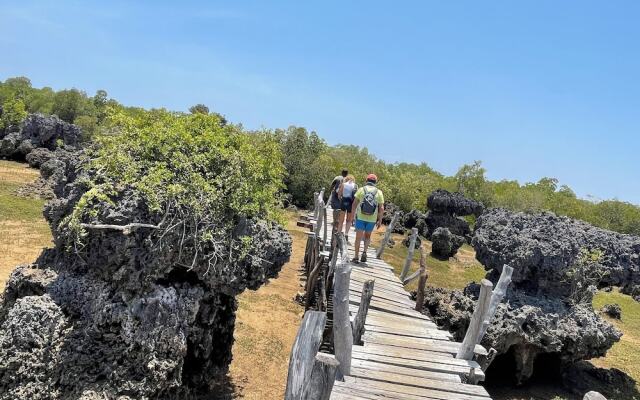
<point x="305" y="348"/>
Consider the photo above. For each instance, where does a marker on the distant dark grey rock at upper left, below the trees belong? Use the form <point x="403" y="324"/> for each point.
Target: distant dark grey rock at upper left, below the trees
<point x="37" y="131"/>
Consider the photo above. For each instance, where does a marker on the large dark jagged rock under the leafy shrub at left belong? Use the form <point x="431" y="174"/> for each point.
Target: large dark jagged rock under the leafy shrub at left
<point x="136" y="313"/>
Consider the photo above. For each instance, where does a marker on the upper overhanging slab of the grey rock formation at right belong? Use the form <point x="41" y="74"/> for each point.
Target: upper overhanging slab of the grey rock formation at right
<point x="543" y="248"/>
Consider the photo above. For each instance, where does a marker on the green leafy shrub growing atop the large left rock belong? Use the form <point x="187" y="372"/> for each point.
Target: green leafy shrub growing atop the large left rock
<point x="193" y="164"/>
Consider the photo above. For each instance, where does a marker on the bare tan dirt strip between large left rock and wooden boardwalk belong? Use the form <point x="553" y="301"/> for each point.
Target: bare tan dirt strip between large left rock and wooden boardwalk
<point x="266" y="325"/>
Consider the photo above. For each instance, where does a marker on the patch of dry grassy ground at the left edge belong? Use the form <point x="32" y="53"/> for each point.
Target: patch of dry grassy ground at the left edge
<point x="23" y="229"/>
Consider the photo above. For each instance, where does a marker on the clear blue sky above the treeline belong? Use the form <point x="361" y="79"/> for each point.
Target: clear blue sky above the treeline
<point x="531" y="88"/>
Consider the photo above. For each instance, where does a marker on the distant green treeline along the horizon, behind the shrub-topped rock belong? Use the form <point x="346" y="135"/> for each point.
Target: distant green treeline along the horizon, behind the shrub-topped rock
<point x="310" y="163"/>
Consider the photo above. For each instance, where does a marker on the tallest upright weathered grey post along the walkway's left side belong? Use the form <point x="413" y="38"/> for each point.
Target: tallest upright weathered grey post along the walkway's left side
<point x="342" y="333"/>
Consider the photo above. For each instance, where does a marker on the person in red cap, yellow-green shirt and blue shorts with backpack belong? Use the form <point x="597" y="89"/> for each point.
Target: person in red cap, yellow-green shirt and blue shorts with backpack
<point x="368" y="207"/>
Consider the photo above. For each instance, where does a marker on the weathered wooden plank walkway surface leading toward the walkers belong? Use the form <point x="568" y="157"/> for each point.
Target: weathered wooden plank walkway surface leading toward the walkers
<point x="405" y="355"/>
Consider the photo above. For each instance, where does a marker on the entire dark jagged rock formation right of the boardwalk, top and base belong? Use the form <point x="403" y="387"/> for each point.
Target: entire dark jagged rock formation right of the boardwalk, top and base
<point x="558" y="265"/>
